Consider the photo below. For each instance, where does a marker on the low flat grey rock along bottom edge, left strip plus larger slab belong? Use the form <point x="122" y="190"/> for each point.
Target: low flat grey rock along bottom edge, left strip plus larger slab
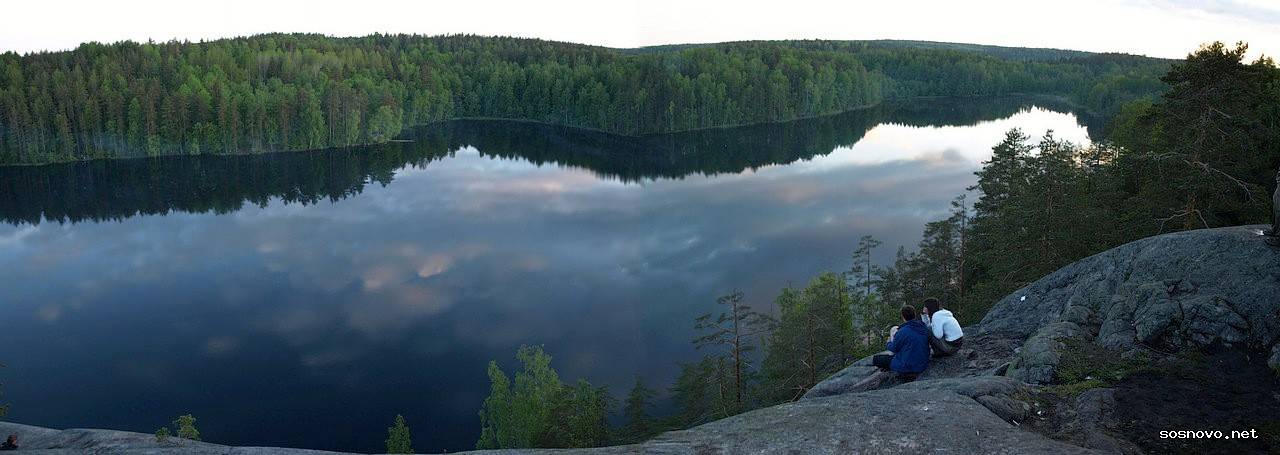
<point x="877" y="422"/>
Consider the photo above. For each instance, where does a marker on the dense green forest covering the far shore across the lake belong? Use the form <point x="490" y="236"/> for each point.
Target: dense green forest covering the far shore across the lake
<point x="277" y="93"/>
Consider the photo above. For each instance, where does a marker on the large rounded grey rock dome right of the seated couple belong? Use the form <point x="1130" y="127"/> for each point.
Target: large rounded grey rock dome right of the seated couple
<point x="1172" y="293"/>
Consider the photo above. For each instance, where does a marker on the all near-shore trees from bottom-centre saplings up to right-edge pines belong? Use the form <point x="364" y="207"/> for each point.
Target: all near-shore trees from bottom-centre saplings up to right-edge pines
<point x="1203" y="156"/>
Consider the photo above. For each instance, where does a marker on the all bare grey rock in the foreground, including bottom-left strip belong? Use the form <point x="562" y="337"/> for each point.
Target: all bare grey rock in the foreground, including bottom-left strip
<point x="1167" y="294"/>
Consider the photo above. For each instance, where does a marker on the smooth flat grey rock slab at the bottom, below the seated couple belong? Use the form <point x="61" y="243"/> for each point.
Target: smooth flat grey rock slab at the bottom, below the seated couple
<point x="877" y="422"/>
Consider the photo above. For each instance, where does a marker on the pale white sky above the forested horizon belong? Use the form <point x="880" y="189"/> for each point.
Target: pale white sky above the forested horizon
<point x="1168" y="29"/>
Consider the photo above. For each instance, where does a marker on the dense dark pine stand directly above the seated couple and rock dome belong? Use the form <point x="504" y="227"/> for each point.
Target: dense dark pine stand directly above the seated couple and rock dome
<point x="1203" y="156"/>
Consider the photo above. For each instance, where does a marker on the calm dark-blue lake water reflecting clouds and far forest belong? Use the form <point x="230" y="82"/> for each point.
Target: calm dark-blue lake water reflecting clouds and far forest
<point x="305" y="299"/>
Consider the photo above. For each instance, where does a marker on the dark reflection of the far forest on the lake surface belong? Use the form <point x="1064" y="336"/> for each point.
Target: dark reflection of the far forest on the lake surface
<point x="113" y="190"/>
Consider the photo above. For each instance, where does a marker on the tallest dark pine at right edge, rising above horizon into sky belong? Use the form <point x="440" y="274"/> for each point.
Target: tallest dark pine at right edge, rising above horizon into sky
<point x="1204" y="156"/>
